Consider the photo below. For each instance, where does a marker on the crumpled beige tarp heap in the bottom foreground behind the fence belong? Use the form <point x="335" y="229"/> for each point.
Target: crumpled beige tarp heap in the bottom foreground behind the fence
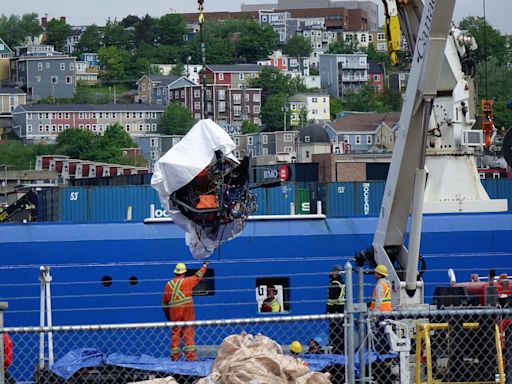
<point x="245" y="358"/>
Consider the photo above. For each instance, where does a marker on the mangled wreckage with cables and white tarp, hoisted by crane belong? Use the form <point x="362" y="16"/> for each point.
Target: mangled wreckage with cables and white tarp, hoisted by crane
<point x="205" y="188"/>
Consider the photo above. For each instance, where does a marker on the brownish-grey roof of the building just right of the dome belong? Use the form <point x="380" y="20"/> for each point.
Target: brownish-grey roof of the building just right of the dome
<point x="364" y="122"/>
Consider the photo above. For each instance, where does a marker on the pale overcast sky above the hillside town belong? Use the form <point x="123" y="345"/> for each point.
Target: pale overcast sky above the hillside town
<point x="97" y="11"/>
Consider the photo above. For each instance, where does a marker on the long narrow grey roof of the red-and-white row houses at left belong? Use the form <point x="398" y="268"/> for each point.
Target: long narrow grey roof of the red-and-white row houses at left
<point x="91" y="107"/>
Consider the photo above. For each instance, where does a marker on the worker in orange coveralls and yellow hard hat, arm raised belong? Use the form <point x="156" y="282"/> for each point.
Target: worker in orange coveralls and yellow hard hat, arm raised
<point x="178" y="305"/>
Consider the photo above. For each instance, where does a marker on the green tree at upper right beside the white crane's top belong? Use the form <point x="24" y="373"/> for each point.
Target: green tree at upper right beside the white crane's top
<point x="490" y="41"/>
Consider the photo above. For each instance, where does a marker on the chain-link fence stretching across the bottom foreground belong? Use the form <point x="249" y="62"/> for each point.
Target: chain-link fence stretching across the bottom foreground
<point x="428" y="346"/>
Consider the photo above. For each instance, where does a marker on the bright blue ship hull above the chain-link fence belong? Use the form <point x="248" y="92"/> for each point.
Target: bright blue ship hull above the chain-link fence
<point x="139" y="258"/>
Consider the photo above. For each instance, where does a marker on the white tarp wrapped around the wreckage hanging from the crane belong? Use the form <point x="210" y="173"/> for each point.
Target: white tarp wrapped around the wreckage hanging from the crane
<point x="179" y="166"/>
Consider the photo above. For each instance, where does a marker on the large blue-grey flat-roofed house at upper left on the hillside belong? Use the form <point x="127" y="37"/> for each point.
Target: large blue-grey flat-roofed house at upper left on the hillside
<point x="46" y="76"/>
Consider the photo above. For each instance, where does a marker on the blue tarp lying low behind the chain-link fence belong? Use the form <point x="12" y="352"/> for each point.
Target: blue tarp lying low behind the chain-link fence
<point x="74" y="360"/>
